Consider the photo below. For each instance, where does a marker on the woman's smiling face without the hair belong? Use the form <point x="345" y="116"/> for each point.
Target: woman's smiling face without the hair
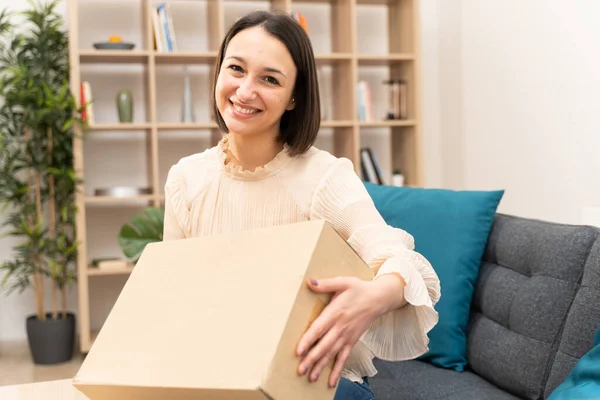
<point x="255" y="83"/>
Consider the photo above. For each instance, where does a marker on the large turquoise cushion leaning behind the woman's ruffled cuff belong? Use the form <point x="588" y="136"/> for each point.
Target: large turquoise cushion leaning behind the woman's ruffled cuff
<point x="451" y="230"/>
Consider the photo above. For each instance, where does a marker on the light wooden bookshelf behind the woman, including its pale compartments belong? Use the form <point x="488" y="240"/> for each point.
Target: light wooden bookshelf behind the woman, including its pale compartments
<point x="157" y="138"/>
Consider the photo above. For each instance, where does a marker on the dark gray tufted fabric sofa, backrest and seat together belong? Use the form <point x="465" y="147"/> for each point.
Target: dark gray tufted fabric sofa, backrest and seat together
<point x="535" y="311"/>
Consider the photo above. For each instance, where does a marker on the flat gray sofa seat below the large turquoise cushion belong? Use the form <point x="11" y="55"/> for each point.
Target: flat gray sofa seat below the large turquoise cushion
<point x="418" y="380"/>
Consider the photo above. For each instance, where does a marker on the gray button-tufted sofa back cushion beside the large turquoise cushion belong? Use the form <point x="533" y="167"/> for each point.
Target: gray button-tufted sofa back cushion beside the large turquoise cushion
<point x="529" y="279"/>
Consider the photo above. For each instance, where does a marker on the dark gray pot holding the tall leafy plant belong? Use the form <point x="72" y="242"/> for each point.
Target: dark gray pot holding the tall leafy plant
<point x="51" y="341"/>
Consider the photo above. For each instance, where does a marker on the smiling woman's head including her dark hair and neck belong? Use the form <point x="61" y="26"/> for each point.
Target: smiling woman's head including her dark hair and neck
<point x="266" y="85"/>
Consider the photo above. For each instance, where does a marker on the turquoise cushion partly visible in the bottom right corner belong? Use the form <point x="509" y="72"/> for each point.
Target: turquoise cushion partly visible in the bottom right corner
<point x="583" y="381"/>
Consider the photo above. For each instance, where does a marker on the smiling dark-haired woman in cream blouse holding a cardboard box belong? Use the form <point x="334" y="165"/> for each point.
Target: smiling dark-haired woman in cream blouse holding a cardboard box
<point x="265" y="171"/>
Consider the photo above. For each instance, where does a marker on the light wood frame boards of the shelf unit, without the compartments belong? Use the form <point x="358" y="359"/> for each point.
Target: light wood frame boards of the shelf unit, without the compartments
<point x="402" y="60"/>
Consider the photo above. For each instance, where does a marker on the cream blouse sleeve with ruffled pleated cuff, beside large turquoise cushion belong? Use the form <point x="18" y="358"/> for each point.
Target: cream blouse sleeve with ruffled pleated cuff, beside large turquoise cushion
<point x="342" y="199"/>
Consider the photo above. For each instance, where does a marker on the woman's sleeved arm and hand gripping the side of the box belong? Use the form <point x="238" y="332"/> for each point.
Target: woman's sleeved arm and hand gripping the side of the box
<point x="393" y="313"/>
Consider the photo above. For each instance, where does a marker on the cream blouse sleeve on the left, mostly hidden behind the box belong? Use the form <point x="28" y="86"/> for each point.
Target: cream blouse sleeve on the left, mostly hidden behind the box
<point x="175" y="209"/>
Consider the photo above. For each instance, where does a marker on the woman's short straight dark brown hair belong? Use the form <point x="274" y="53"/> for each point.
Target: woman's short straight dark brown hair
<point x="299" y="127"/>
